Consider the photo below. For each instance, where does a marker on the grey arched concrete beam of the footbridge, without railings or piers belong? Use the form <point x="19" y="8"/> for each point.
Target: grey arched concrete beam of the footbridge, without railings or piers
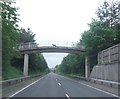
<point x="52" y="49"/>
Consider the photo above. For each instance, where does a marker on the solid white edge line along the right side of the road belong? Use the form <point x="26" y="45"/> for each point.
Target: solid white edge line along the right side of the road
<point x="94" y="88"/>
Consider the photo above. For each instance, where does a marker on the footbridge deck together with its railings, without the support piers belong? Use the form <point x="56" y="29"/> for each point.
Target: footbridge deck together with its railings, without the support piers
<point x="46" y="47"/>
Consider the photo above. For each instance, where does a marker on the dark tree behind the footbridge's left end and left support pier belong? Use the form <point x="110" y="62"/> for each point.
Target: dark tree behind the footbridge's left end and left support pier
<point x="37" y="63"/>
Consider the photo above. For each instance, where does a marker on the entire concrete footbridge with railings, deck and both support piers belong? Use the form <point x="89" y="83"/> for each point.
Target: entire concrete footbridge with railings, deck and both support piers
<point x="49" y="47"/>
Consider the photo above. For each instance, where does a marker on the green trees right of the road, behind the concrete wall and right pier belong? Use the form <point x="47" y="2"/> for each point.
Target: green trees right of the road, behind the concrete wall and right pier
<point x="103" y="33"/>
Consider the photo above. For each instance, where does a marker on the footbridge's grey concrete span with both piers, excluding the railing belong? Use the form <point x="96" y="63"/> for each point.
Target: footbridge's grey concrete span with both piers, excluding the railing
<point x="26" y="50"/>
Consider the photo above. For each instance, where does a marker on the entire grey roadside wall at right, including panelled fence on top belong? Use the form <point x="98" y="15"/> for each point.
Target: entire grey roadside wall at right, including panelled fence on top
<point x="108" y="67"/>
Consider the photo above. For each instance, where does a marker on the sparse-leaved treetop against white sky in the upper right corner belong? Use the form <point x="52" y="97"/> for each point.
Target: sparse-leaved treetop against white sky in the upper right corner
<point x="109" y="12"/>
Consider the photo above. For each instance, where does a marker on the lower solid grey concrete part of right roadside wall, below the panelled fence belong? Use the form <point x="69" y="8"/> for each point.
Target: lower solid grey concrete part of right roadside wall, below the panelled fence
<point x="106" y="72"/>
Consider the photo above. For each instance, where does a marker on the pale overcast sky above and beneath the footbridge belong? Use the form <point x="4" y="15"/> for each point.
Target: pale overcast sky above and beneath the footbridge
<point x="57" y="20"/>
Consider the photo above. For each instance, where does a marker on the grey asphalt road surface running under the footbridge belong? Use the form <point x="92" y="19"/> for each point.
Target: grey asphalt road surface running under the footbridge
<point x="53" y="85"/>
